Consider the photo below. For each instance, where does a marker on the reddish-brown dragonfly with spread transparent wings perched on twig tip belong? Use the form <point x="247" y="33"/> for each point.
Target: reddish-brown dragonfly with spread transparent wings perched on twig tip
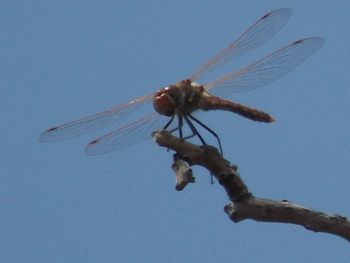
<point x="186" y="97"/>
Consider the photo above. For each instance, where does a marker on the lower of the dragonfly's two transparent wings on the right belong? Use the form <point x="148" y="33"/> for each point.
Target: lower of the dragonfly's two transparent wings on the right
<point x="267" y="69"/>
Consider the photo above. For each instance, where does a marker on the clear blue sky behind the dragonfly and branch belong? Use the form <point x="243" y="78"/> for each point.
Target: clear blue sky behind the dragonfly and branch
<point x="61" y="60"/>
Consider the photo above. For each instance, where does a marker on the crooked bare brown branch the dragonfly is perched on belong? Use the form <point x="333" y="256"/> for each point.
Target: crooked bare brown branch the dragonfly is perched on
<point x="243" y="204"/>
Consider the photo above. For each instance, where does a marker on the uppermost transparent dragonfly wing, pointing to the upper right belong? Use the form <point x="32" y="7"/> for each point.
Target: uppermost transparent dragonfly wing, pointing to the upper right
<point x="259" y="33"/>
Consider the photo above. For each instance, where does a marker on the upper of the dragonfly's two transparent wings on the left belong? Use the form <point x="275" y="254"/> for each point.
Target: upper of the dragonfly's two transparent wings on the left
<point x="93" y="122"/>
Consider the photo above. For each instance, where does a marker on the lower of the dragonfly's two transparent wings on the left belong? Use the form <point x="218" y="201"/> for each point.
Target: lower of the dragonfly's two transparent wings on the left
<point x="128" y="135"/>
